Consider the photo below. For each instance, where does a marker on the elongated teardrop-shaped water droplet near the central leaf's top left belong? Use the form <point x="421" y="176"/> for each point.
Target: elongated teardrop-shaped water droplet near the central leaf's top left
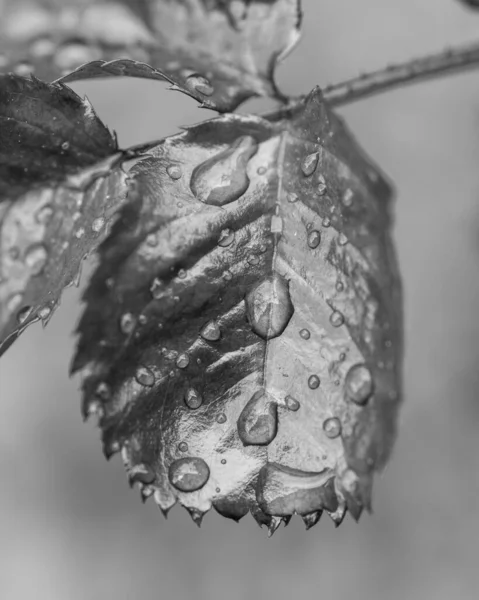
<point x="222" y="178"/>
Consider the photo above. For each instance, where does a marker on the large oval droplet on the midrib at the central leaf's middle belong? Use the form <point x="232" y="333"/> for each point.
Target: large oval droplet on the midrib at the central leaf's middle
<point x="269" y="307"/>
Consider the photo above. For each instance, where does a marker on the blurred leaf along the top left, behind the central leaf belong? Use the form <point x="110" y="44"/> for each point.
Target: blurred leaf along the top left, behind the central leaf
<point x="220" y="52"/>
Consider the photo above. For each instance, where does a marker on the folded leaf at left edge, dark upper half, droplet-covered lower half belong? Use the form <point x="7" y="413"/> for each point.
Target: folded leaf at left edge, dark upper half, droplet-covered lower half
<point x="60" y="185"/>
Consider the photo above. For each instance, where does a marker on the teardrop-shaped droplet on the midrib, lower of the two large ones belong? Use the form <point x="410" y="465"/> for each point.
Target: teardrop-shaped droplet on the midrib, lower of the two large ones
<point x="258" y="421"/>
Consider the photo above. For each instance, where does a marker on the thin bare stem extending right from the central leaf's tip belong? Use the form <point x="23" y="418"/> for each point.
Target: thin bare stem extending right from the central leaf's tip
<point x="415" y="71"/>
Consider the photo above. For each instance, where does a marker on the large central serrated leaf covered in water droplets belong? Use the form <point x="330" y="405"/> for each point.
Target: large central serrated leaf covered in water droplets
<point x="242" y="336"/>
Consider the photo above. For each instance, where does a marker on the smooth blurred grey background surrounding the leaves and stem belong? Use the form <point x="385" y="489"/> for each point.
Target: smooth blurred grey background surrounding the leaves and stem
<point x="70" y="528"/>
